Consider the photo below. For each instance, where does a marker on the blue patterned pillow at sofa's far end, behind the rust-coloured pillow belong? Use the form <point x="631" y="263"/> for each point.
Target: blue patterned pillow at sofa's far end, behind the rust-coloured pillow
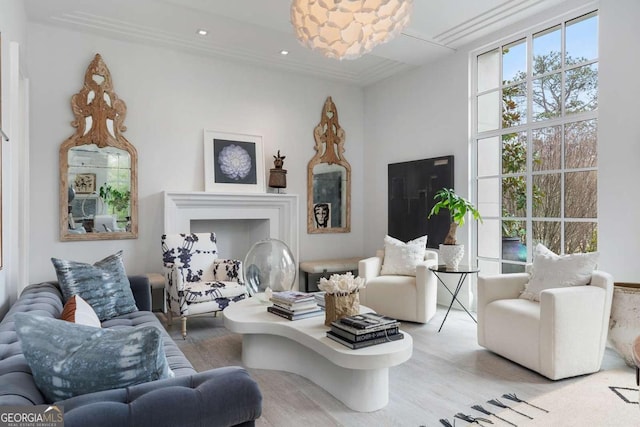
<point x="104" y="285"/>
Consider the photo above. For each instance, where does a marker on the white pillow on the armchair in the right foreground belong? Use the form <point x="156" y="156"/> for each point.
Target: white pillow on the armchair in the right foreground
<point x="558" y="271"/>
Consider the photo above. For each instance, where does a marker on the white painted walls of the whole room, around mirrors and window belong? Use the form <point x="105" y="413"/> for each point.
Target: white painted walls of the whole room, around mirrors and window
<point x="174" y="93"/>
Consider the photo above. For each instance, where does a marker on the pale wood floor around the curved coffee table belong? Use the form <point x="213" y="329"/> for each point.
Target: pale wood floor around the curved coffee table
<point x="448" y="373"/>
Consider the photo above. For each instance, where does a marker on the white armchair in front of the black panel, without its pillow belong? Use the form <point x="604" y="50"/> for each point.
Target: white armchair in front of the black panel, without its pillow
<point x="409" y="298"/>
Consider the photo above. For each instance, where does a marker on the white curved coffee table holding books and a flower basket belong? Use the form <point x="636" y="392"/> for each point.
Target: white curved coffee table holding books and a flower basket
<point x="359" y="378"/>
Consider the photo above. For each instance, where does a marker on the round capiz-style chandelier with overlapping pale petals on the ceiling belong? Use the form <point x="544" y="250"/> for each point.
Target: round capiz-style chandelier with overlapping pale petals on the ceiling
<point x="347" y="29"/>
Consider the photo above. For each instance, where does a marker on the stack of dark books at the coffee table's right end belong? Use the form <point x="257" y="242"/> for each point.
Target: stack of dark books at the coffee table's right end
<point x="364" y="330"/>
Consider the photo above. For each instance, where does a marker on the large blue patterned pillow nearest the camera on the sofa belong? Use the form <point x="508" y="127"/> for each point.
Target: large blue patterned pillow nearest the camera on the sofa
<point x="68" y="359"/>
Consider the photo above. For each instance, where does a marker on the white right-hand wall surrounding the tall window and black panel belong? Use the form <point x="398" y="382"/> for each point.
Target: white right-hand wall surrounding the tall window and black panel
<point x="425" y="113"/>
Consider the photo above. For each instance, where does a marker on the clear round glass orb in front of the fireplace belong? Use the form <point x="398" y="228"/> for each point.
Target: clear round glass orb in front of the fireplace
<point x="269" y="264"/>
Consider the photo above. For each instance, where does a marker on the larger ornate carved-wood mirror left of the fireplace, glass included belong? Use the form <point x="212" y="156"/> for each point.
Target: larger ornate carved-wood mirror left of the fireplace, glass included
<point x="98" y="166"/>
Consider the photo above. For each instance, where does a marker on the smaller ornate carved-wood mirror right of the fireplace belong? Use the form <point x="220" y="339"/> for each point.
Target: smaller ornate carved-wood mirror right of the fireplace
<point x="329" y="177"/>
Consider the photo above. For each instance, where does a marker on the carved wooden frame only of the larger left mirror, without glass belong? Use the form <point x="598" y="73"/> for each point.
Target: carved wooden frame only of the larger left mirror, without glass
<point x="101" y="113"/>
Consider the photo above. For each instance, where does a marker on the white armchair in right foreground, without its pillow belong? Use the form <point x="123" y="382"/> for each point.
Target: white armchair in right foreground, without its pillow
<point x="563" y="335"/>
